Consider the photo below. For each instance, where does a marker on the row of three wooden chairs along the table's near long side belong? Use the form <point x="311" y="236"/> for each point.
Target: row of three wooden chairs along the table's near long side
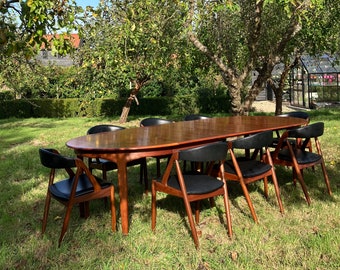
<point x="193" y="186"/>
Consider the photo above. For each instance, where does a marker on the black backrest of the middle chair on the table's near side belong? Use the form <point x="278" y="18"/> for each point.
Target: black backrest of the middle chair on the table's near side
<point x="255" y="141"/>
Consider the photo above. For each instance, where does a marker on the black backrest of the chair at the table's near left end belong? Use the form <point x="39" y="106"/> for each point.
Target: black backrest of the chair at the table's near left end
<point x="50" y="158"/>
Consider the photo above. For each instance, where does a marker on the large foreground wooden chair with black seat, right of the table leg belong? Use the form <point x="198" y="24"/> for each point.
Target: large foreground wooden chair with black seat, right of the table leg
<point x="193" y="186"/>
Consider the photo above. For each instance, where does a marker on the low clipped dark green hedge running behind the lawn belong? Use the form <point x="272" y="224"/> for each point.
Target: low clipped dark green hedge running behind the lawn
<point x="63" y="108"/>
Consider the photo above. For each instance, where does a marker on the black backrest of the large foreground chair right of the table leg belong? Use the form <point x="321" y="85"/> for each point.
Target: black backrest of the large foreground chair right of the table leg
<point x="209" y="152"/>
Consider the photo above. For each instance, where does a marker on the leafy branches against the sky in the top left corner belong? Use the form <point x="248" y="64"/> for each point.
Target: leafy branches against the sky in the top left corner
<point x="24" y="25"/>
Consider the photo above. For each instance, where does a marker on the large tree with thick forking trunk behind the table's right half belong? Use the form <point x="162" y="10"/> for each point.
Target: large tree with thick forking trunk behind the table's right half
<point x="242" y="36"/>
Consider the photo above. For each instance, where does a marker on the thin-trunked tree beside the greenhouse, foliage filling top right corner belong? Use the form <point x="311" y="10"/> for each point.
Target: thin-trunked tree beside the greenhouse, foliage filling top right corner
<point x="318" y="35"/>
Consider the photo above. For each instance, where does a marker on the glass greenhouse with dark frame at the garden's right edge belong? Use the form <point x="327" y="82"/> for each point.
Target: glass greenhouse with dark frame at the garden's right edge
<point x="315" y="82"/>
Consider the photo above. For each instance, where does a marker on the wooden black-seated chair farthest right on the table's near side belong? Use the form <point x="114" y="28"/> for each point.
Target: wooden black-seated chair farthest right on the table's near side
<point x="298" y="156"/>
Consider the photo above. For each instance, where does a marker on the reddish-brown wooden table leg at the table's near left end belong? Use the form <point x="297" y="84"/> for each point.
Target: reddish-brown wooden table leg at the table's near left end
<point x="123" y="194"/>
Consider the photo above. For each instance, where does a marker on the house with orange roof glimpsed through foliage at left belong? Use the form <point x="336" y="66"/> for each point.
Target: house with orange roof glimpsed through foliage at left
<point x="45" y="56"/>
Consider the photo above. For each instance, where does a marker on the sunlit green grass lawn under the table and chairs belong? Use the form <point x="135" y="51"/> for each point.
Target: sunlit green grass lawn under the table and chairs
<point x="305" y="237"/>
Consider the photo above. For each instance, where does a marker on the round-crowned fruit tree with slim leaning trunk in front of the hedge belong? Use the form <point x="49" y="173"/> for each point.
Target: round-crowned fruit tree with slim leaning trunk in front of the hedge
<point x="133" y="42"/>
